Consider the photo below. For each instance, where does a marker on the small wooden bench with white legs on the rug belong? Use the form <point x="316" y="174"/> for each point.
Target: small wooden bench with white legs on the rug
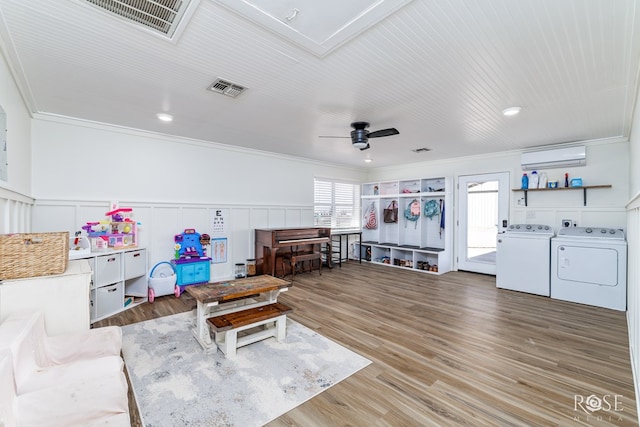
<point x="226" y="326"/>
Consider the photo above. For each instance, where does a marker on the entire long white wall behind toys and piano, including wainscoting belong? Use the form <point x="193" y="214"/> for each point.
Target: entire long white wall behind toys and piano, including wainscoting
<point x="172" y="184"/>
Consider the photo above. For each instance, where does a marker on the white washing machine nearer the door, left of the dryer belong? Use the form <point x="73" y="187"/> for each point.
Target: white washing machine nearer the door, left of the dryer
<point x="523" y="258"/>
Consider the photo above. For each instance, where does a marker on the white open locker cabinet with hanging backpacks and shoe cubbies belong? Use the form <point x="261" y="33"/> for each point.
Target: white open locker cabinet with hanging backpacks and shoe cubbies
<point x="420" y="240"/>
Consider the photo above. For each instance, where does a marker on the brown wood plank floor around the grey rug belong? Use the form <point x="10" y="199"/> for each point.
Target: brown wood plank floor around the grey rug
<point x="449" y="350"/>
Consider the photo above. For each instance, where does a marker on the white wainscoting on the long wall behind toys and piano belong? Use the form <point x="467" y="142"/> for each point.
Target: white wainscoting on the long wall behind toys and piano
<point x="160" y="221"/>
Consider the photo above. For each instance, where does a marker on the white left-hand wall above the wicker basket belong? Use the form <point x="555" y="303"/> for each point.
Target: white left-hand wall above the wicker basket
<point x="15" y="200"/>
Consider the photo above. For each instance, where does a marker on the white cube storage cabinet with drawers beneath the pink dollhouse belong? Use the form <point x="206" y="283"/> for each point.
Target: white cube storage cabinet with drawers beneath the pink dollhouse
<point x="119" y="281"/>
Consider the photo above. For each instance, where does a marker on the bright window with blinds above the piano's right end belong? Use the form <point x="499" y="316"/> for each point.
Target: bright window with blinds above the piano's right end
<point x="336" y="204"/>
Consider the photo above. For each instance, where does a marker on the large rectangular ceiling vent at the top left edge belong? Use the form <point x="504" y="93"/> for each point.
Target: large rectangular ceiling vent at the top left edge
<point x="162" y="17"/>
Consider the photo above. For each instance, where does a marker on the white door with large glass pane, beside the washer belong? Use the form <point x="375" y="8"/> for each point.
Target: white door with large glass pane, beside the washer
<point x="483" y="212"/>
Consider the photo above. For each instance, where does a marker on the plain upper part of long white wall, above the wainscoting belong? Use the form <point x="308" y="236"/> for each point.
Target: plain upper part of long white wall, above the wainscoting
<point x="73" y="159"/>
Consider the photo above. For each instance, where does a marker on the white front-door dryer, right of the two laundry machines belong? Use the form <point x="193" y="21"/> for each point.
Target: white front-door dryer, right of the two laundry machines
<point x="589" y="266"/>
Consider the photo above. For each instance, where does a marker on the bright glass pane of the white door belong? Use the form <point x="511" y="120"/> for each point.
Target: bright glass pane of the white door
<point x="482" y="221"/>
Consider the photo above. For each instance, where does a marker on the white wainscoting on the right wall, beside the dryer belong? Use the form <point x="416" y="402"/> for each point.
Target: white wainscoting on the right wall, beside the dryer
<point x="633" y="289"/>
